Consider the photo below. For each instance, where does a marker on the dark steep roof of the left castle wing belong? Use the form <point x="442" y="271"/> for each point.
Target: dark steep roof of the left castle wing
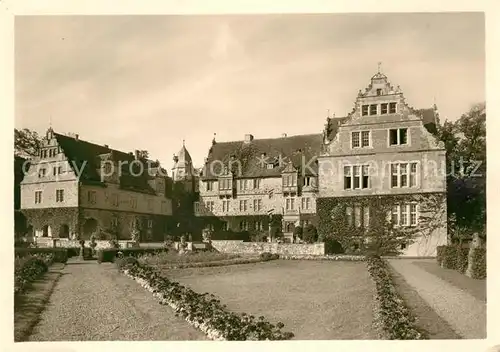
<point x="82" y="153"/>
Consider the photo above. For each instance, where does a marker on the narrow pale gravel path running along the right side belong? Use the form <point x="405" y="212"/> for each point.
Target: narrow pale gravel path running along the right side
<point x="465" y="313"/>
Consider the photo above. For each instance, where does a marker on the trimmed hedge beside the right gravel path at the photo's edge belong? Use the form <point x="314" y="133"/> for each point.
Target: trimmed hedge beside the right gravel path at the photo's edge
<point x="457" y="258"/>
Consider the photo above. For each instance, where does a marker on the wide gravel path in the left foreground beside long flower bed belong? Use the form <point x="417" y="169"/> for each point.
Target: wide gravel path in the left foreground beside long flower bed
<point x="95" y="302"/>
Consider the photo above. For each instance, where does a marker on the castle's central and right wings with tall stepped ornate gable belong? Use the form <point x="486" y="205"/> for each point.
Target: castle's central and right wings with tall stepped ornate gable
<point x="382" y="149"/>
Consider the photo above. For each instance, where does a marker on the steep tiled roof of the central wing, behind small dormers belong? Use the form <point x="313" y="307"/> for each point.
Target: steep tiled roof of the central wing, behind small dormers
<point x="255" y="155"/>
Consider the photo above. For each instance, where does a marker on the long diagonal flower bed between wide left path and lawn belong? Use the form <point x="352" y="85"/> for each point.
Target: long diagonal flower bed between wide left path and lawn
<point x="203" y="311"/>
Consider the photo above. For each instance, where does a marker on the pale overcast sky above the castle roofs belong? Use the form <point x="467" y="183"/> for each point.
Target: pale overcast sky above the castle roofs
<point x="148" y="82"/>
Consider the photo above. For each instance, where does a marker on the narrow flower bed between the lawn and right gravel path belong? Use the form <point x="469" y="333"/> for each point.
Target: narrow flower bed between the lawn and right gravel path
<point x="392" y="314"/>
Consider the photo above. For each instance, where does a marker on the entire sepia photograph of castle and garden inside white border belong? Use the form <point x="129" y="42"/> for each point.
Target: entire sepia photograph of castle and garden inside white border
<point x="245" y="177"/>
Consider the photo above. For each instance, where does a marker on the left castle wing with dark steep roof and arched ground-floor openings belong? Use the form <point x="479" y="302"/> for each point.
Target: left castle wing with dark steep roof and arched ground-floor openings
<point x="75" y="189"/>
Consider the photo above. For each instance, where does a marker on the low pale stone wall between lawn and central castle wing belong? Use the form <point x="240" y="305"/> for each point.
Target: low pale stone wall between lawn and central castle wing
<point x="241" y="247"/>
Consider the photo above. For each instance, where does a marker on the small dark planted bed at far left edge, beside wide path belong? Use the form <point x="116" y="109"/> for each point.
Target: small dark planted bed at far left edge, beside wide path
<point x="29" y="268"/>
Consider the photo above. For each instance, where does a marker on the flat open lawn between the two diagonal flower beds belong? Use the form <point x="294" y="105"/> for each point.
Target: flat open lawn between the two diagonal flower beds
<point x="315" y="300"/>
